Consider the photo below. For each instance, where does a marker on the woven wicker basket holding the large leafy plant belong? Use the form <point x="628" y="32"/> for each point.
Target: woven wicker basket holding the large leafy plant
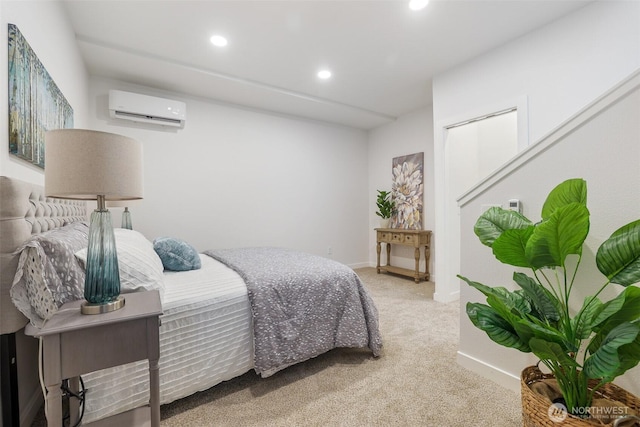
<point x="535" y="407"/>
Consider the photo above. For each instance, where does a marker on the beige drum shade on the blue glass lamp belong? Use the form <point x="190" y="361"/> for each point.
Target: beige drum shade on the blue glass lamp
<point x="83" y="164"/>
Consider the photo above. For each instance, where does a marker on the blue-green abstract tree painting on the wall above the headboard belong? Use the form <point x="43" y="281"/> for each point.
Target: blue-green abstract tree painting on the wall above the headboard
<point x="36" y="105"/>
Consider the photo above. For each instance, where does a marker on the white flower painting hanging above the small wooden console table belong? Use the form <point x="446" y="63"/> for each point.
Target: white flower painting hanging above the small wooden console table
<point x="406" y="190"/>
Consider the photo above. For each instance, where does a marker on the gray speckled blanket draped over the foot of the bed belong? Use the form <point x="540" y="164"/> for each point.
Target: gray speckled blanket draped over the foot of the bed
<point x="302" y="305"/>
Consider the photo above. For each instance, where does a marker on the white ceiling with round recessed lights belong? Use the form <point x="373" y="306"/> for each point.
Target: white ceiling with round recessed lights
<point x="382" y="54"/>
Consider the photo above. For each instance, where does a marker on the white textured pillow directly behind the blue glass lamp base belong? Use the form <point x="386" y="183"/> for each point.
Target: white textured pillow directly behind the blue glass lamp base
<point x="139" y="265"/>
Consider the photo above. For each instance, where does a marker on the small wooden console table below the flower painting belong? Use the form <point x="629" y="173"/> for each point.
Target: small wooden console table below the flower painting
<point x="414" y="238"/>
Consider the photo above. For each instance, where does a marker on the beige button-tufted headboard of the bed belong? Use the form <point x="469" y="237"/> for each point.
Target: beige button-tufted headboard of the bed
<point x="24" y="211"/>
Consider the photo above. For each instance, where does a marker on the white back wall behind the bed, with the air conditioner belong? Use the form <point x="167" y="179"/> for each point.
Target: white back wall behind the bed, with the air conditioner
<point x="235" y="177"/>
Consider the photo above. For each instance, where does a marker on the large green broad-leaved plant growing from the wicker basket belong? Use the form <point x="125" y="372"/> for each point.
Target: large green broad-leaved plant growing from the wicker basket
<point x="600" y="340"/>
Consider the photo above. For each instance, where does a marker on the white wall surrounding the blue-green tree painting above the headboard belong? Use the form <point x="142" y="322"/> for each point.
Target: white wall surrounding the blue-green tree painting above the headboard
<point x="45" y="26"/>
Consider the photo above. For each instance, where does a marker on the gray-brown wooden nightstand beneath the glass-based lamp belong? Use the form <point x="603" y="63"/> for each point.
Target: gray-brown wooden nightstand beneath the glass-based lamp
<point x="75" y="344"/>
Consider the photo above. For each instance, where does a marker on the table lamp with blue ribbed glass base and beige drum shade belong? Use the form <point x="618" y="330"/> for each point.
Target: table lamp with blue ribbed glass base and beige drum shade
<point x="84" y="164"/>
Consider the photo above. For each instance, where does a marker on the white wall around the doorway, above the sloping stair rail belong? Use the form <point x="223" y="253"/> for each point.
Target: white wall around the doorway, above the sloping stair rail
<point x="558" y="69"/>
